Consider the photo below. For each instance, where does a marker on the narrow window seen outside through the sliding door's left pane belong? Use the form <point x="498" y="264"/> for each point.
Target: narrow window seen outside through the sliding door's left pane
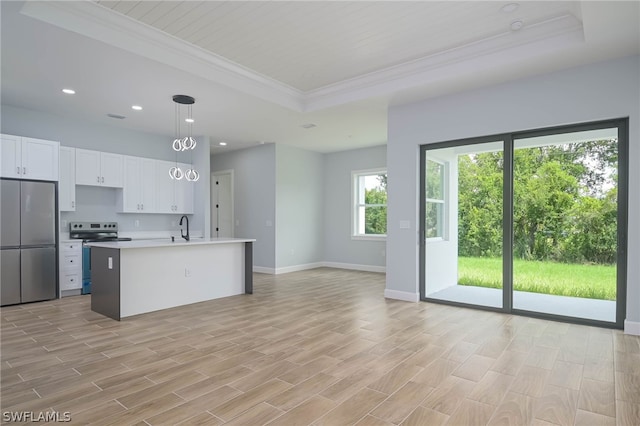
<point x="435" y="205"/>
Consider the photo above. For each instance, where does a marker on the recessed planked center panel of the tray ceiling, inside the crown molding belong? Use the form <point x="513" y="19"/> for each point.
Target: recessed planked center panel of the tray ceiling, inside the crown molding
<point x="310" y="45"/>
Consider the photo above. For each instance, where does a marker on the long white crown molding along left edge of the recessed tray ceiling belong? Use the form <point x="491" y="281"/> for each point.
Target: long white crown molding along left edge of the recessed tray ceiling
<point x="92" y="20"/>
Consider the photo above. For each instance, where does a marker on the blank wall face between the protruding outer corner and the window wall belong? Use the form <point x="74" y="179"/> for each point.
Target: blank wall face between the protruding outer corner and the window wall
<point x="299" y="207"/>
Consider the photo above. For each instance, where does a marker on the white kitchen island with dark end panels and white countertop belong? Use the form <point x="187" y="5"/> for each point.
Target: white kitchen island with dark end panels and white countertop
<point x="136" y="277"/>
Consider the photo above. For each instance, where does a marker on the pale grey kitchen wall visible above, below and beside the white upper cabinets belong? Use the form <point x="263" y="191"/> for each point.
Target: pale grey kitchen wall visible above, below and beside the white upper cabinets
<point x="95" y="203"/>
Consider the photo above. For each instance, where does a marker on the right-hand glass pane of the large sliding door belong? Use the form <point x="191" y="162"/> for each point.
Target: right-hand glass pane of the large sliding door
<point x="565" y="217"/>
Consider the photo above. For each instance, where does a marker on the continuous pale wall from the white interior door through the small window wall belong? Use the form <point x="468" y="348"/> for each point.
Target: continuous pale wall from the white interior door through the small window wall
<point x="307" y="197"/>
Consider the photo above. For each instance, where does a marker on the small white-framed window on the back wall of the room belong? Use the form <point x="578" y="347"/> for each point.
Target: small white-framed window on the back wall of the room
<point x="370" y="204"/>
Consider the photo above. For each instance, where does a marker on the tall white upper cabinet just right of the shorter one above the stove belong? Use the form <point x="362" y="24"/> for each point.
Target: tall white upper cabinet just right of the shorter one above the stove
<point x="139" y="186"/>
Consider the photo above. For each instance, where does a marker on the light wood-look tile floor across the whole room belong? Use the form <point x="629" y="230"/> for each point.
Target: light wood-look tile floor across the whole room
<point x="318" y="347"/>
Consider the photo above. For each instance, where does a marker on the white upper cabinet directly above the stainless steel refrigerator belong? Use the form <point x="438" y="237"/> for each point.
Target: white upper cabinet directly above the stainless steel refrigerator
<point x="28" y="158"/>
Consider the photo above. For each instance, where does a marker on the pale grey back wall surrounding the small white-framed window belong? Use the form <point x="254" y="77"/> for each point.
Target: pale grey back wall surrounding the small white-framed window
<point x="339" y="248"/>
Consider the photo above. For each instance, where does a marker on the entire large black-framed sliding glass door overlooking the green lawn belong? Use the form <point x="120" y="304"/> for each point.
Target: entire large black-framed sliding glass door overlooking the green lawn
<point x="530" y="222"/>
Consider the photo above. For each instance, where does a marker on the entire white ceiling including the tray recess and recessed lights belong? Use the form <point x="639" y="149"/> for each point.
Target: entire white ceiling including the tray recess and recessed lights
<point x="260" y="70"/>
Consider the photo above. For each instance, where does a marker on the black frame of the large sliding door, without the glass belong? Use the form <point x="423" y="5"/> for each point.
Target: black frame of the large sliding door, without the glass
<point x="622" y="124"/>
